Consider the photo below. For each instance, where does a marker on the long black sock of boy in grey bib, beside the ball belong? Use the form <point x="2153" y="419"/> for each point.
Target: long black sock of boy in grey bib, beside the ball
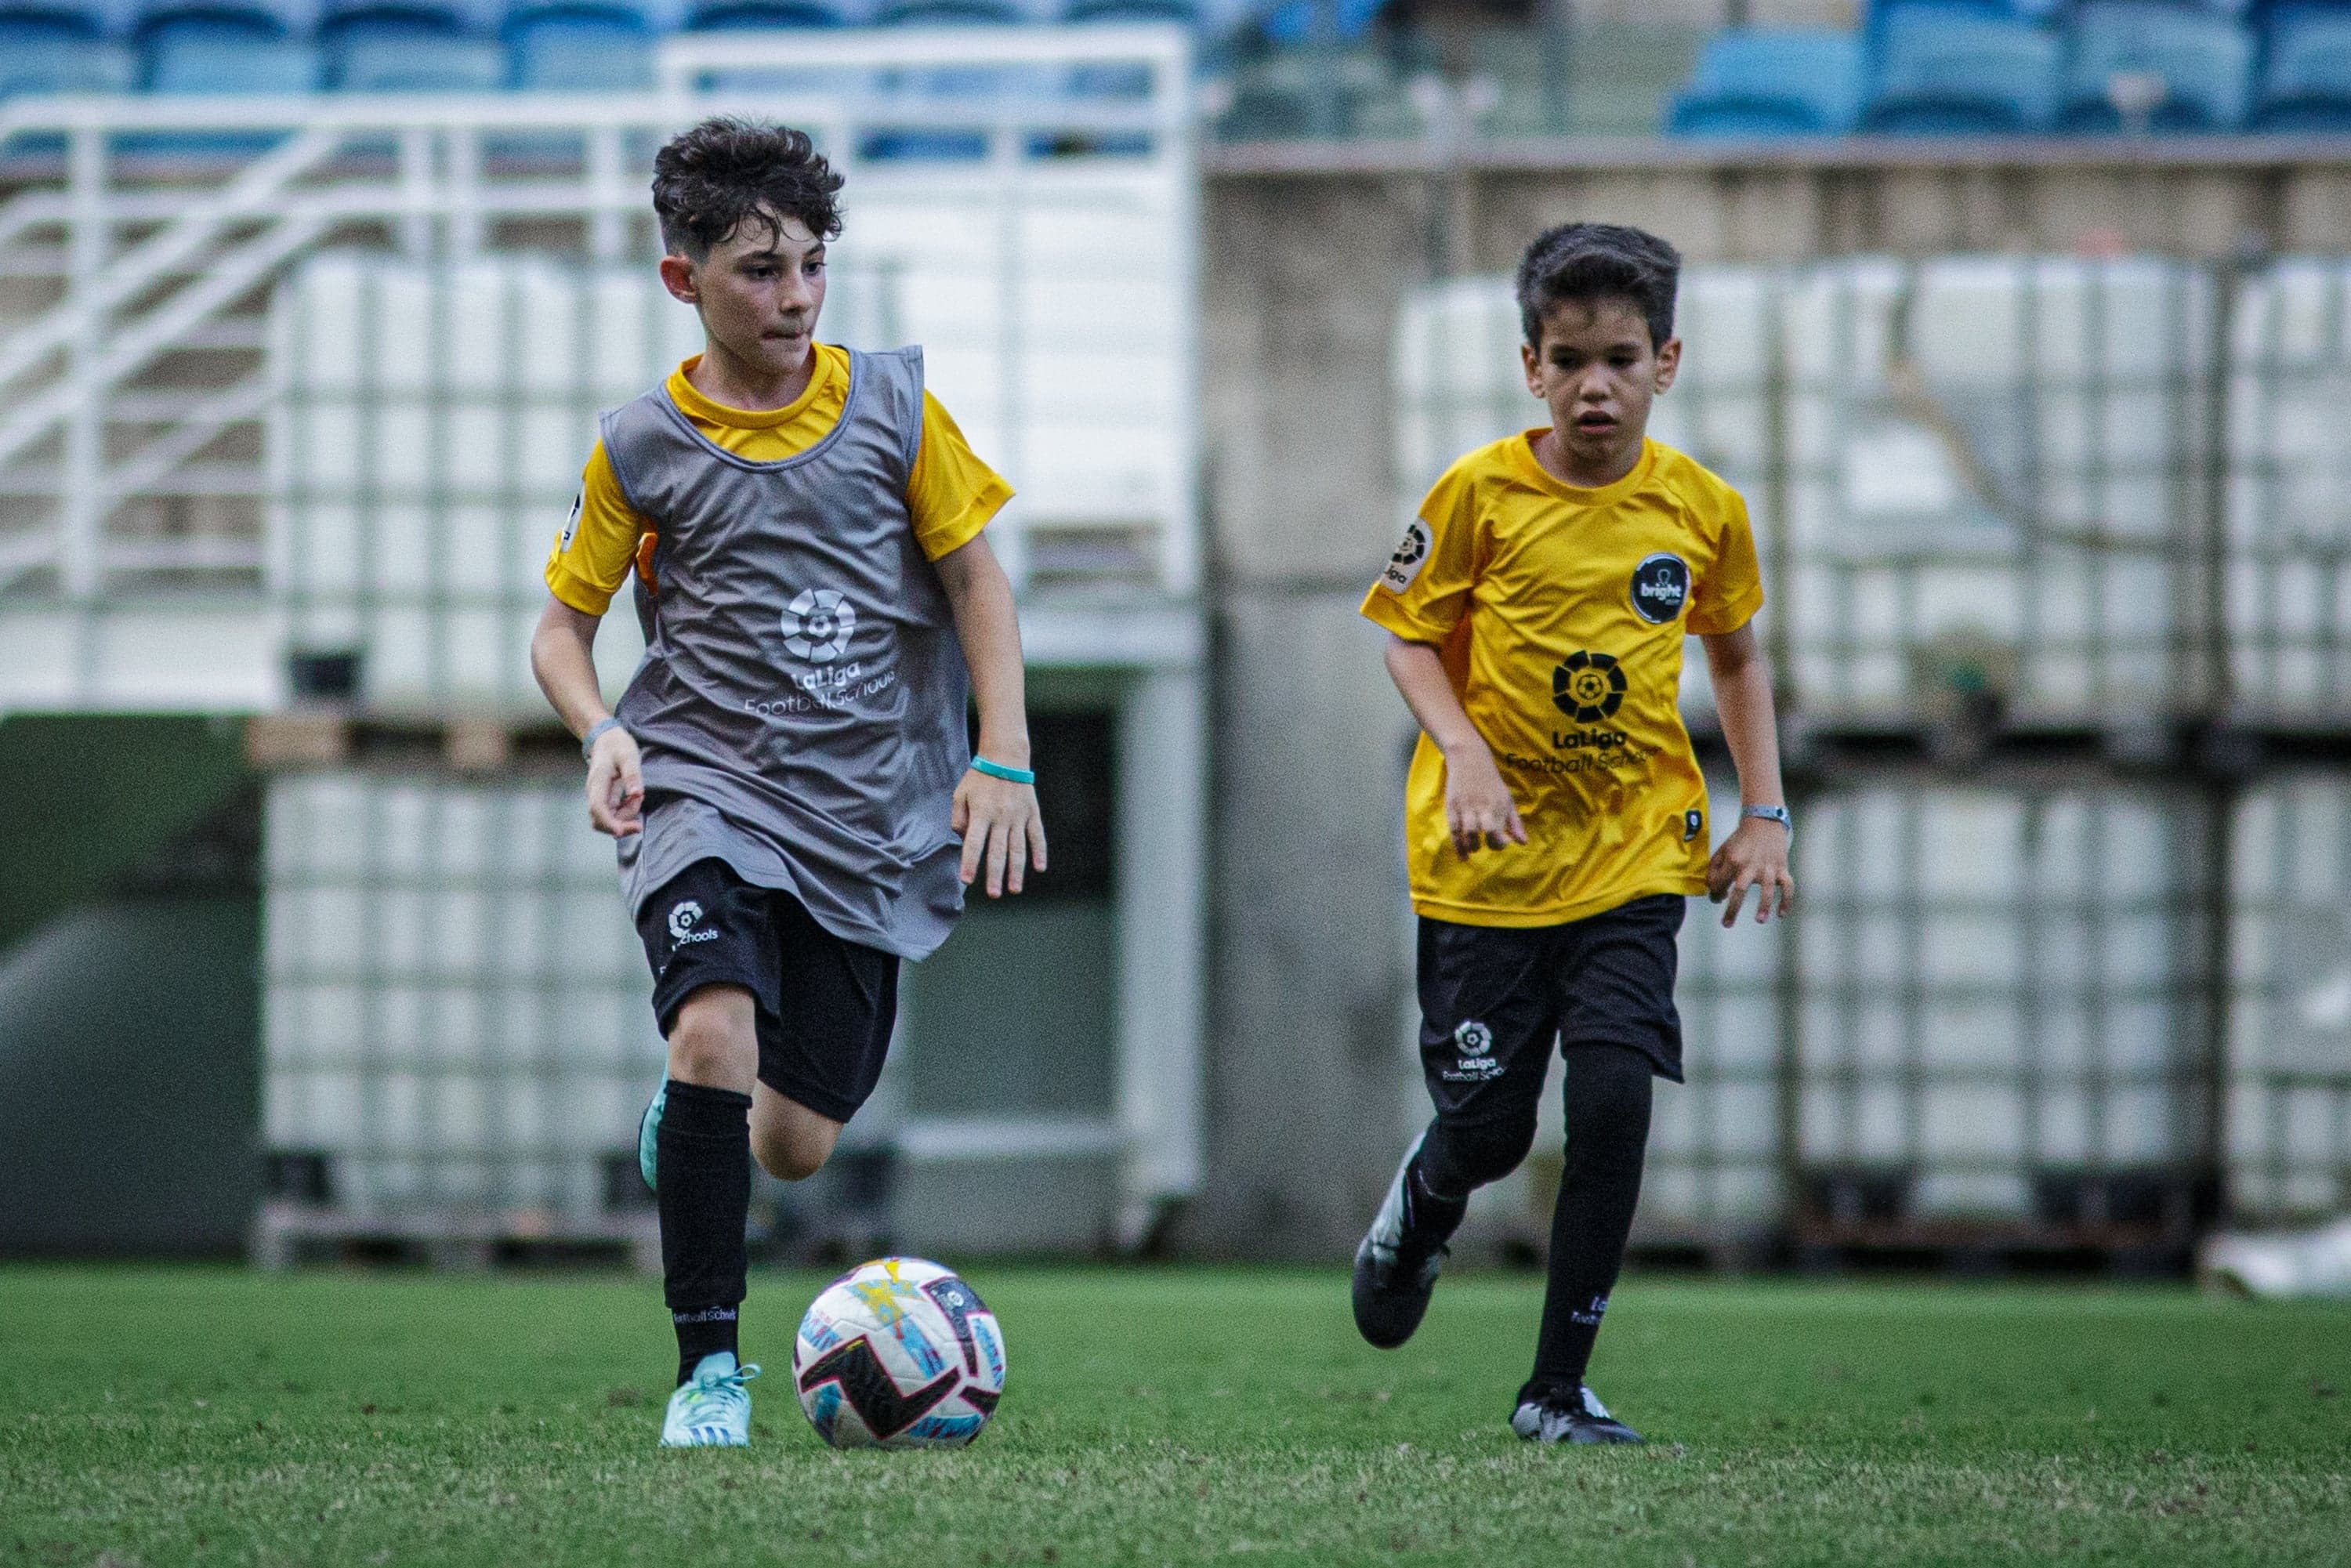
<point x="704" y="1162"/>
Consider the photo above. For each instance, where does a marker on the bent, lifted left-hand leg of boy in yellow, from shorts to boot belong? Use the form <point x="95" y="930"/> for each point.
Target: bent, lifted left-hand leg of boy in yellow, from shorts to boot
<point x="1487" y="1028"/>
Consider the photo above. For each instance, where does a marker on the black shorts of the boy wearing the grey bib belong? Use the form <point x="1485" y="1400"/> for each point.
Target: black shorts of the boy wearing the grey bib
<point x="826" y="1005"/>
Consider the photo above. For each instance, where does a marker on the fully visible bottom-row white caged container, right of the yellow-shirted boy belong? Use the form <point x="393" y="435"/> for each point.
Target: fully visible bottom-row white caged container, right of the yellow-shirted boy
<point x="2000" y="984"/>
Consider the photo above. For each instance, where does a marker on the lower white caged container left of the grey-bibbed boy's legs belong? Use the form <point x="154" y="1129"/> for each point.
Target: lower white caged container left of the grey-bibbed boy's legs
<point x="455" y="1003"/>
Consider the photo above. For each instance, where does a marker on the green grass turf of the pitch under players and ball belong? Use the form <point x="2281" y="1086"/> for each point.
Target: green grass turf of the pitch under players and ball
<point x="154" y="1416"/>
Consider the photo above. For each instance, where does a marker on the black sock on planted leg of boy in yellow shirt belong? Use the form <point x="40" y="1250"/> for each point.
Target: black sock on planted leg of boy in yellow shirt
<point x="1609" y="1099"/>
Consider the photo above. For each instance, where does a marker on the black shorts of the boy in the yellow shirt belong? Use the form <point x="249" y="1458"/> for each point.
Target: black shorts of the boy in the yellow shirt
<point x="1496" y="998"/>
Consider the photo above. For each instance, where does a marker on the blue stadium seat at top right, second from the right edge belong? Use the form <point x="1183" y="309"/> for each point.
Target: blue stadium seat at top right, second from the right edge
<point x="2204" y="62"/>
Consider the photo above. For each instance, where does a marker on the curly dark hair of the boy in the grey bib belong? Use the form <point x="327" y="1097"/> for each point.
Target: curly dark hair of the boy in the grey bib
<point x="730" y="173"/>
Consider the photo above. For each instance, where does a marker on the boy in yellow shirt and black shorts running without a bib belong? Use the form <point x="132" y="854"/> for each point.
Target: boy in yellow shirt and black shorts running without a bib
<point x="1558" y="819"/>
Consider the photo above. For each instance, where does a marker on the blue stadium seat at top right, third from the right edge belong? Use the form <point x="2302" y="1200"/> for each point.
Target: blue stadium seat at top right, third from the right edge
<point x="1955" y="74"/>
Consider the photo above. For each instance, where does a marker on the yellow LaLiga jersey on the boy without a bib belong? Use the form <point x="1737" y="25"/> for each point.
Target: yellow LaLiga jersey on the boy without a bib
<point x="1560" y="617"/>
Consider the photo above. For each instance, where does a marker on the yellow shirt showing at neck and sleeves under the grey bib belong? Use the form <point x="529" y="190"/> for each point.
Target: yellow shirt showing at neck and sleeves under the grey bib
<point x="951" y="495"/>
